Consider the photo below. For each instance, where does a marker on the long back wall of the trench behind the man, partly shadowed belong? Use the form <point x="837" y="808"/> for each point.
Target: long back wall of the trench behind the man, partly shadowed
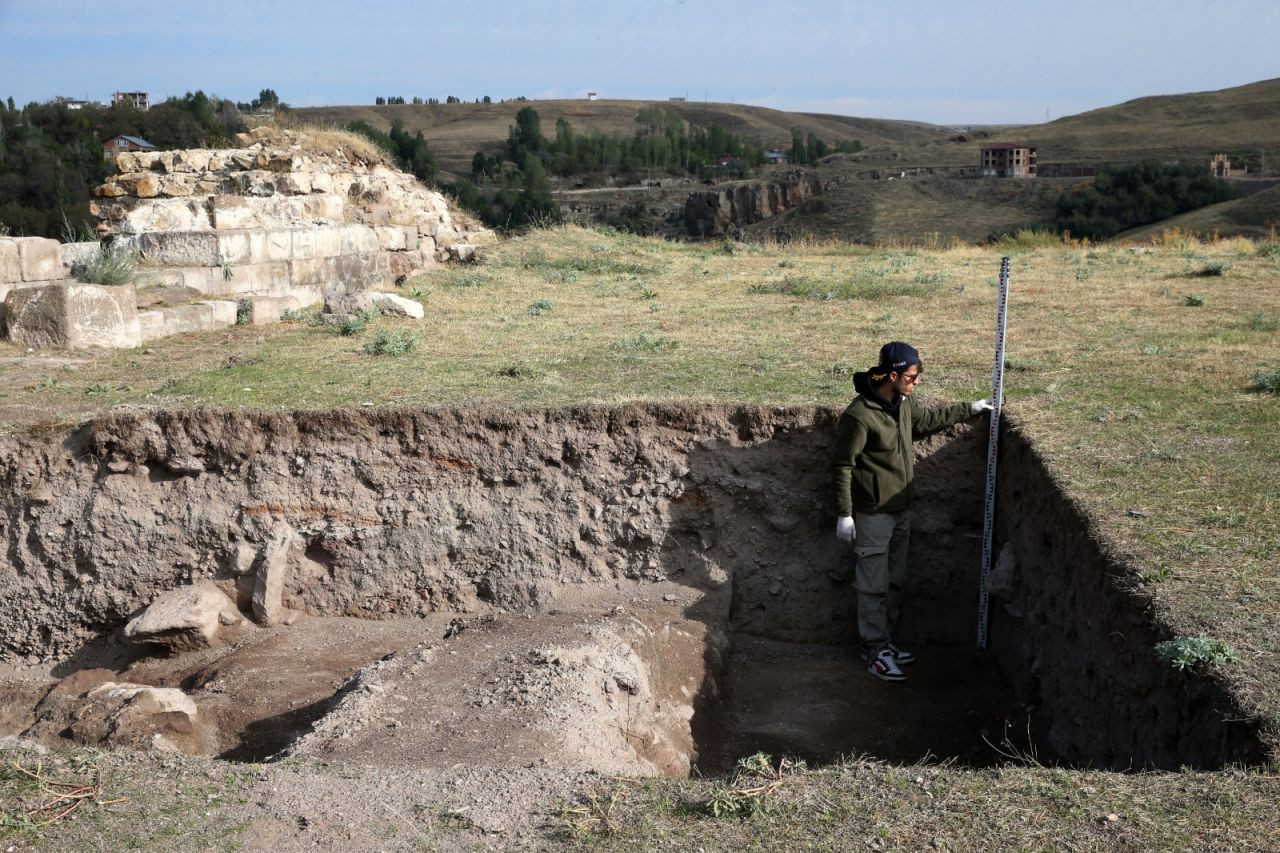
<point x="406" y="513"/>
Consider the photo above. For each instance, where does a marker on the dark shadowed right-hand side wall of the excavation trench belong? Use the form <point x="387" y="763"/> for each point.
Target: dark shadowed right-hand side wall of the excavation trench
<point x="1078" y="641"/>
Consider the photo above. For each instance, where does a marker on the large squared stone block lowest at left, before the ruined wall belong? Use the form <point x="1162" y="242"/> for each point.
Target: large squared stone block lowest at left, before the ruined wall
<point x="74" y="316"/>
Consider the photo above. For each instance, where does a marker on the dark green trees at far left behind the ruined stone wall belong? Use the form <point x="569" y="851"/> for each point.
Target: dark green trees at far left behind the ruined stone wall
<point x="52" y="156"/>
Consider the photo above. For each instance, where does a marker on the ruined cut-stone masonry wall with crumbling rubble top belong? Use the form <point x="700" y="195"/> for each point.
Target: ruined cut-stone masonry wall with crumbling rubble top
<point x="278" y="222"/>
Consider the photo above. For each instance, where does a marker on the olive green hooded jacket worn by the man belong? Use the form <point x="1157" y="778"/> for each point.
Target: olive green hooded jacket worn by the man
<point x="874" y="460"/>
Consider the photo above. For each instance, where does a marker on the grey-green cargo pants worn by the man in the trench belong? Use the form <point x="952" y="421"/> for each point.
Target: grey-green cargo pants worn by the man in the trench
<point x="880" y="573"/>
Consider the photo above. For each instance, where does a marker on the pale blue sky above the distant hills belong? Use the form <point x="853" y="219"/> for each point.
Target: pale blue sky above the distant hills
<point x="949" y="63"/>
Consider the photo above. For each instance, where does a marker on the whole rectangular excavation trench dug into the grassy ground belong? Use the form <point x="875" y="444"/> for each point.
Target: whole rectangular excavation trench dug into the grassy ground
<point x="628" y="590"/>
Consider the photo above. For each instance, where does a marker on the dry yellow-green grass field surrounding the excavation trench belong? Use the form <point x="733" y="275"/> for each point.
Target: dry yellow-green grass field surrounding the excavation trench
<point x="1148" y="376"/>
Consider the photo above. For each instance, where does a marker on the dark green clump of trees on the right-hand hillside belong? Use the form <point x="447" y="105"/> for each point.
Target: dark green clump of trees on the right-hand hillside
<point x="1126" y="198"/>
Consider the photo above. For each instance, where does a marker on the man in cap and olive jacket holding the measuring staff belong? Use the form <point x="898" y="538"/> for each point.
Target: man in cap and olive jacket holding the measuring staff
<point x="872" y="473"/>
